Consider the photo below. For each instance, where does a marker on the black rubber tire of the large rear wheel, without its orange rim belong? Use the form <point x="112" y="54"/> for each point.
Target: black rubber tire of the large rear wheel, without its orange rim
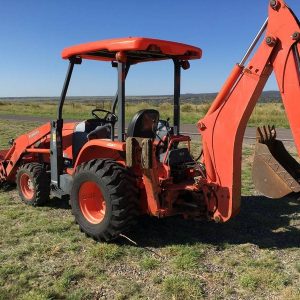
<point x="120" y="194"/>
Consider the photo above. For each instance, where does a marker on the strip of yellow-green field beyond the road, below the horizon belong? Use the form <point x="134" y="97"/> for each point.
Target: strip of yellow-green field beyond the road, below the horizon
<point x="264" y="113"/>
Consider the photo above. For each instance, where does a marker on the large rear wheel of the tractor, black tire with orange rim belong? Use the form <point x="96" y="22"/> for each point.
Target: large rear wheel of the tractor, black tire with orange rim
<point x="104" y="199"/>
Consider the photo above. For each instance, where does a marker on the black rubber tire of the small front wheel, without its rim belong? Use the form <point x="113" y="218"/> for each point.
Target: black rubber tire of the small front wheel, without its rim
<point x="40" y="180"/>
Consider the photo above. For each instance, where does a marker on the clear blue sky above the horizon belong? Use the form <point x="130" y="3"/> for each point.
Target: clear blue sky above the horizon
<point x="33" y="33"/>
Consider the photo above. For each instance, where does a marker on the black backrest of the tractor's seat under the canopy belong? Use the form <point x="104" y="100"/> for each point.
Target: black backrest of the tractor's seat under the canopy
<point x="144" y="124"/>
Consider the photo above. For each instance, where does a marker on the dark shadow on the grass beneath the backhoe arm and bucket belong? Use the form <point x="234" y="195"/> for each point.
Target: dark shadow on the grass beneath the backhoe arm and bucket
<point x="262" y="221"/>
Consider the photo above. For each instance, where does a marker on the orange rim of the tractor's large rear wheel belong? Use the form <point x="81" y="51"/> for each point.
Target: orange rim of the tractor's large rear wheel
<point x="91" y="202"/>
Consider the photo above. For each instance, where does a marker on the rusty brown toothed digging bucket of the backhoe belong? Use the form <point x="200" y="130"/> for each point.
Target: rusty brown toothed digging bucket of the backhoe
<point x="275" y="172"/>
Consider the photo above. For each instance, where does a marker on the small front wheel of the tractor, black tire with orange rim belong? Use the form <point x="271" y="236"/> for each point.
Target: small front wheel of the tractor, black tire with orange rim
<point x="33" y="184"/>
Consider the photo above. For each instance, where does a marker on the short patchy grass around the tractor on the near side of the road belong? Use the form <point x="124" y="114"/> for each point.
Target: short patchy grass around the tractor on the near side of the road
<point x="254" y="256"/>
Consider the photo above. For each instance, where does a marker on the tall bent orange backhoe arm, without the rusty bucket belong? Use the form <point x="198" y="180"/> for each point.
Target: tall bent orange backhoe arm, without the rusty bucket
<point x="223" y="127"/>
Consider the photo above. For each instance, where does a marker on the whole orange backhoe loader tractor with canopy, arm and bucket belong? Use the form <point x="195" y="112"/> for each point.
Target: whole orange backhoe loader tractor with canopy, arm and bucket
<point x="114" y="176"/>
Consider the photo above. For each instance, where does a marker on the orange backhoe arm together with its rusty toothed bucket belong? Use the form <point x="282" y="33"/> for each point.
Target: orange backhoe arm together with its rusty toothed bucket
<point x="223" y="127"/>
